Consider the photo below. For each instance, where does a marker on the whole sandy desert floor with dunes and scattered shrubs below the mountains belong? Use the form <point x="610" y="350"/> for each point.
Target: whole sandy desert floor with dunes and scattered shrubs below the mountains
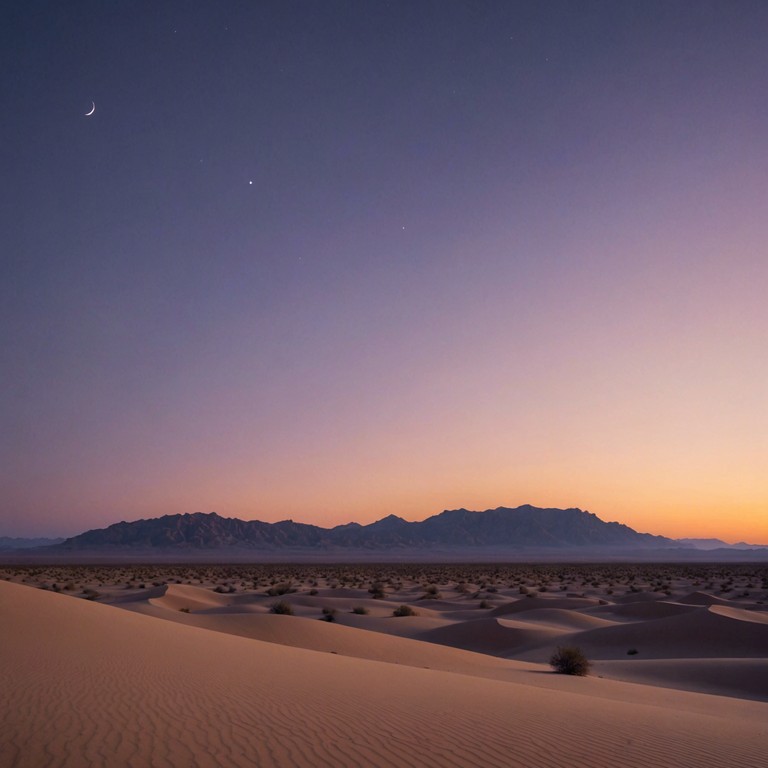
<point x="383" y="665"/>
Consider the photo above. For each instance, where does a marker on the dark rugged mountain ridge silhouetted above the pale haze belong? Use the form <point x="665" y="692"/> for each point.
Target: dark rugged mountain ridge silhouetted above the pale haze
<point x="521" y="527"/>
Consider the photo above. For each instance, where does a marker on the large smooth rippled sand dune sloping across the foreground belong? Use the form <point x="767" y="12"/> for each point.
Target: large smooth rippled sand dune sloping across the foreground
<point x="86" y="684"/>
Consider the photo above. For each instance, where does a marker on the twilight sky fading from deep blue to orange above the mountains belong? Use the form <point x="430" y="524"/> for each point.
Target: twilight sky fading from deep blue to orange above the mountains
<point x="331" y="261"/>
